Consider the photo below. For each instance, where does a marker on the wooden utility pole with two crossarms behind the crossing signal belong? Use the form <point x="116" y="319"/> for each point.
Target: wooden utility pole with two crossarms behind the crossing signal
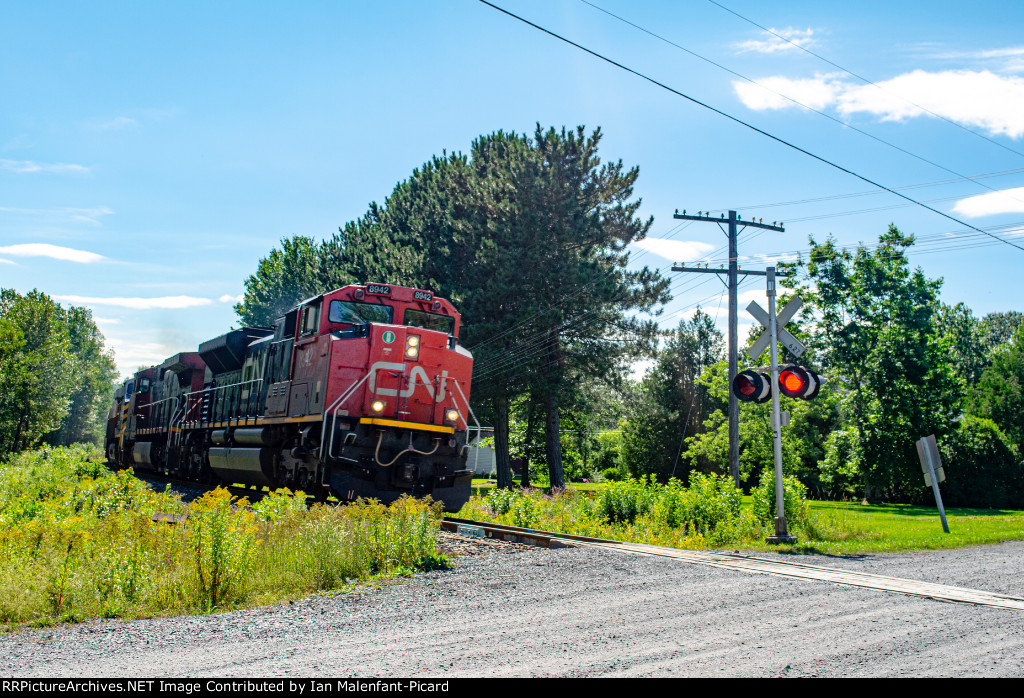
<point x="734" y="274"/>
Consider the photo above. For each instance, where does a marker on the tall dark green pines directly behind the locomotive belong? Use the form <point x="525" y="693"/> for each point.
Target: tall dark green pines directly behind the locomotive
<point x="528" y="237"/>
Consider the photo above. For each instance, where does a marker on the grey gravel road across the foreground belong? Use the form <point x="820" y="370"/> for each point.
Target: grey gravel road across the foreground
<point x="577" y="613"/>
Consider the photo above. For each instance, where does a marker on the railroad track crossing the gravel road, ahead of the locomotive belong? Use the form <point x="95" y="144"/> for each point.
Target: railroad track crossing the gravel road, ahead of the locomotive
<point x="745" y="563"/>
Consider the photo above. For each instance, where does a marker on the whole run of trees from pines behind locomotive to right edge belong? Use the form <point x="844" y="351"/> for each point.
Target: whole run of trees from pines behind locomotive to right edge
<point x="528" y="237"/>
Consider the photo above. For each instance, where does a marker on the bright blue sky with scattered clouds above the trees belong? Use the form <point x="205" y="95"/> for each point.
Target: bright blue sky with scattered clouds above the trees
<point x="151" y="155"/>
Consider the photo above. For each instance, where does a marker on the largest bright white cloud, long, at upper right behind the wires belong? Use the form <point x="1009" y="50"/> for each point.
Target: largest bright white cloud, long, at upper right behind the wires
<point x="983" y="100"/>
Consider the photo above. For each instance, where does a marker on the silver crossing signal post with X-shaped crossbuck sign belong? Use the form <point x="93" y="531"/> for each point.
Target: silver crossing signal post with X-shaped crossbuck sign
<point x="773" y="335"/>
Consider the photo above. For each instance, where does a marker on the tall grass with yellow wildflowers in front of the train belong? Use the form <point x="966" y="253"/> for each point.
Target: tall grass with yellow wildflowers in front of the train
<point x="79" y="542"/>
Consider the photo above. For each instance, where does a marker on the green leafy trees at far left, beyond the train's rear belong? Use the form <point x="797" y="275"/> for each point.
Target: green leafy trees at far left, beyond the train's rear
<point x="57" y="376"/>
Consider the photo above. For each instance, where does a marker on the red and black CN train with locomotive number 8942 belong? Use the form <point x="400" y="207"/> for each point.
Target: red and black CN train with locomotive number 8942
<point x="362" y="392"/>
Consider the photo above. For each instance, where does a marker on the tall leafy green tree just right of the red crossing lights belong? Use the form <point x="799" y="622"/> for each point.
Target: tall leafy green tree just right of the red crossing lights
<point x="880" y="330"/>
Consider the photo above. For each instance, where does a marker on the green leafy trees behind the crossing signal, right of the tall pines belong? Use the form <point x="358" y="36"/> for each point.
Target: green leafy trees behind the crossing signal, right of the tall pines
<point x="900" y="365"/>
